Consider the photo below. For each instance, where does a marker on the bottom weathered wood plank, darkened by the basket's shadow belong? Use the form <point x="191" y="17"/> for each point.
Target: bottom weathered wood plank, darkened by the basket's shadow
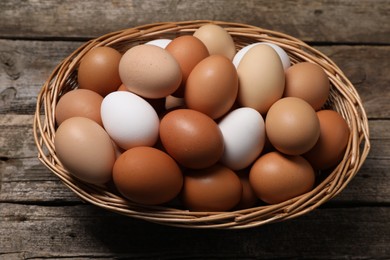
<point x="84" y="231"/>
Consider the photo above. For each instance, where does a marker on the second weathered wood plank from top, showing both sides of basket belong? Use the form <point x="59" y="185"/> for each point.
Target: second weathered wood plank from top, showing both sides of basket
<point x="27" y="64"/>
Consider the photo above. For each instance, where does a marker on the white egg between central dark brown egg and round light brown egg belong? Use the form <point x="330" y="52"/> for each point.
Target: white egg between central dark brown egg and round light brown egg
<point x="243" y="133"/>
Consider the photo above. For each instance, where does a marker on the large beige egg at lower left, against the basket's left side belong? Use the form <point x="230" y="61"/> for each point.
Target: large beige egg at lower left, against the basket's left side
<point x="85" y="150"/>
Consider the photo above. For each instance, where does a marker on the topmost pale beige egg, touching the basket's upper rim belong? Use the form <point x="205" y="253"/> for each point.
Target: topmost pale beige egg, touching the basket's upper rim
<point x="216" y="39"/>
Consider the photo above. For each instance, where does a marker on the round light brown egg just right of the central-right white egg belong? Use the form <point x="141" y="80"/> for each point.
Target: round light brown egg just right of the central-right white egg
<point x="292" y="126"/>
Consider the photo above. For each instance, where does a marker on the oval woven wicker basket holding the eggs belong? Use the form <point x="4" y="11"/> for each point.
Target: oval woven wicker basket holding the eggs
<point x="343" y="98"/>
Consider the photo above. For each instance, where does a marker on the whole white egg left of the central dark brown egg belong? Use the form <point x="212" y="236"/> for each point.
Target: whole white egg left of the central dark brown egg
<point x="129" y="120"/>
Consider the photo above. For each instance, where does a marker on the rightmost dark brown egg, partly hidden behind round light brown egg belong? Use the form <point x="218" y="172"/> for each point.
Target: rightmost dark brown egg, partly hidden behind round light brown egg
<point x="330" y="147"/>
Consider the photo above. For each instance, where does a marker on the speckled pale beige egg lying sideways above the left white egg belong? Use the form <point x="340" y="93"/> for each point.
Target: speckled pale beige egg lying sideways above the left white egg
<point x="150" y="71"/>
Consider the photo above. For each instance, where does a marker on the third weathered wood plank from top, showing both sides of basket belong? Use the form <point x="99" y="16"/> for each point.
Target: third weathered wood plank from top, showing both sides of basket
<point x="24" y="179"/>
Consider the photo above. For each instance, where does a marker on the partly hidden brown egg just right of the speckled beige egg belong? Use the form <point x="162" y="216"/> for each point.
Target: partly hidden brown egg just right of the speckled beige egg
<point x="188" y="51"/>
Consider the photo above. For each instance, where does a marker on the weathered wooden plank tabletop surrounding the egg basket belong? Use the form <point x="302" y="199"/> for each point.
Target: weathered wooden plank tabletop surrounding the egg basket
<point x="41" y="218"/>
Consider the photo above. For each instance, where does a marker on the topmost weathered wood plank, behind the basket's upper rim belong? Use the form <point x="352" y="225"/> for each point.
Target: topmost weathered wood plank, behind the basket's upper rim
<point x="309" y="20"/>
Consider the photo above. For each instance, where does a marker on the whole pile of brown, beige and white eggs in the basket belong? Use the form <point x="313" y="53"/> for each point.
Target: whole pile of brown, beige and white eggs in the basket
<point x="193" y="120"/>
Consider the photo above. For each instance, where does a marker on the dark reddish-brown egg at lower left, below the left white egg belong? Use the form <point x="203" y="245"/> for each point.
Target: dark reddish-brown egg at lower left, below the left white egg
<point x="147" y="175"/>
